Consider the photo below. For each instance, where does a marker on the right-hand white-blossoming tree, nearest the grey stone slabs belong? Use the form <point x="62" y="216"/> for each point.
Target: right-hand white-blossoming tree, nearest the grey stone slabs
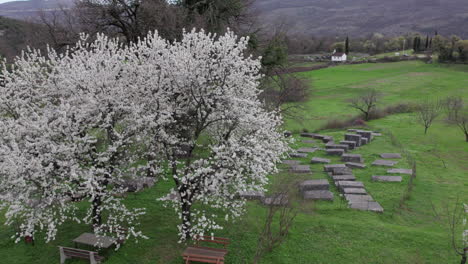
<point x="215" y="134"/>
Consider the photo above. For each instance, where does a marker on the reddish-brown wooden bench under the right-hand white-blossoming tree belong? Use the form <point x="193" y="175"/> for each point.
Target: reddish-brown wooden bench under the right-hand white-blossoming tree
<point x="206" y="254"/>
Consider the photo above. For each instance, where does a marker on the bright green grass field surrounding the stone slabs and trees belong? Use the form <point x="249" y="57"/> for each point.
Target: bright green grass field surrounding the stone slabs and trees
<point x="328" y="232"/>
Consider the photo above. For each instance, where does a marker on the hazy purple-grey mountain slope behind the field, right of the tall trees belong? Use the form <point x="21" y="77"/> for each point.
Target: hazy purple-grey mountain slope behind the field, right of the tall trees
<point x="363" y="17"/>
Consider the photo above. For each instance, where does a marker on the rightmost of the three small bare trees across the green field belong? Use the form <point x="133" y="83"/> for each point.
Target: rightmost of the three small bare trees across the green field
<point x="457" y="114"/>
